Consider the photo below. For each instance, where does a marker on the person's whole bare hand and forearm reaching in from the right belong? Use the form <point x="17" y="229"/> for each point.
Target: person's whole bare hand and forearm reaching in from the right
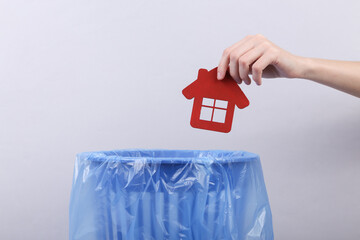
<point x="258" y="56"/>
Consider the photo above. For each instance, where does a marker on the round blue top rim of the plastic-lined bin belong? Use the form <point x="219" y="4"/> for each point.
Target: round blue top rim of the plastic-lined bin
<point x="165" y="156"/>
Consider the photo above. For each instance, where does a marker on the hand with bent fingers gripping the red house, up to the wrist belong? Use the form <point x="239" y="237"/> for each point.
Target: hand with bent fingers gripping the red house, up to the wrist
<point x="258" y="56"/>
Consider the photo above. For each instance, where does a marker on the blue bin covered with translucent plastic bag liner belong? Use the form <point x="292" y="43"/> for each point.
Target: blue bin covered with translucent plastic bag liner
<point x="169" y="194"/>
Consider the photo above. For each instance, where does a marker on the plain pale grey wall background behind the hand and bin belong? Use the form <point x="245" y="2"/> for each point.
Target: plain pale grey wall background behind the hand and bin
<point x="100" y="75"/>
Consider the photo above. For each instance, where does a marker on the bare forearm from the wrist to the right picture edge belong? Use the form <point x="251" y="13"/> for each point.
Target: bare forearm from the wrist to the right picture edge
<point x="342" y="75"/>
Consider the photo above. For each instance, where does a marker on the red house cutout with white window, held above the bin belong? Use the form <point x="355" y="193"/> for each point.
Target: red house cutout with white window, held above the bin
<point x="215" y="101"/>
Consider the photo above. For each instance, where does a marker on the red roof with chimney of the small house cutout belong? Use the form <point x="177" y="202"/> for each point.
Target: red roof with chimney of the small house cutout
<point x="207" y="85"/>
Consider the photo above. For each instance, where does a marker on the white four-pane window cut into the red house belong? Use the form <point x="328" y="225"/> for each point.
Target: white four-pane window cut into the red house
<point x="213" y="110"/>
